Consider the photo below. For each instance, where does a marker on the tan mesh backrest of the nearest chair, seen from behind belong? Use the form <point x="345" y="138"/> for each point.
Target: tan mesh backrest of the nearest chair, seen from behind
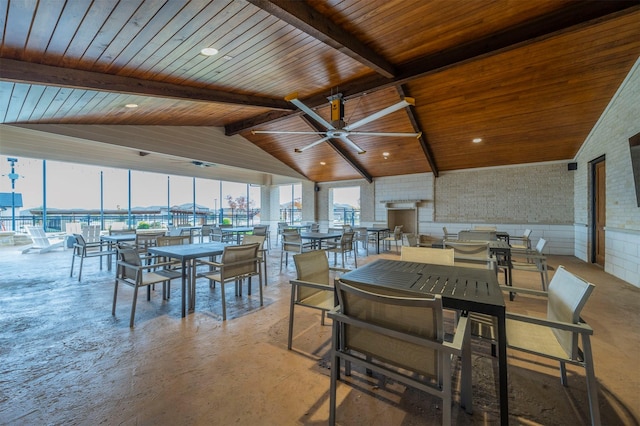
<point x="418" y="316"/>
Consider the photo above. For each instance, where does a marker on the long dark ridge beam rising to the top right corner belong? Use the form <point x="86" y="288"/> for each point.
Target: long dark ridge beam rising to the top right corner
<point x="574" y="15"/>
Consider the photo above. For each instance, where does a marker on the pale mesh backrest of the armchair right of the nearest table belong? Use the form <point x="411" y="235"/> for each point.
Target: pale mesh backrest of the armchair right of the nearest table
<point x="568" y="294"/>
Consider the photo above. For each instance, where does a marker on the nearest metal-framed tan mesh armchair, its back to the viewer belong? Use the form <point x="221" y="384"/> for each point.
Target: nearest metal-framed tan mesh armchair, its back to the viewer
<point x="400" y="337"/>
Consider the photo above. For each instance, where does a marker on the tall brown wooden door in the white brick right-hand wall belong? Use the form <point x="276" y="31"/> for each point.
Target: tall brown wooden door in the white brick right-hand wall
<point x="598" y="195"/>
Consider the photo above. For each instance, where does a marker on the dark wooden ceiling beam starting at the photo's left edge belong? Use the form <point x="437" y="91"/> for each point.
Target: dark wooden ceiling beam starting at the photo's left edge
<point x="32" y="73"/>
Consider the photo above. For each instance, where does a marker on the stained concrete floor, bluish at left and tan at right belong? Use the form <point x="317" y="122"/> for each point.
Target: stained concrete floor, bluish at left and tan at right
<point x="64" y="359"/>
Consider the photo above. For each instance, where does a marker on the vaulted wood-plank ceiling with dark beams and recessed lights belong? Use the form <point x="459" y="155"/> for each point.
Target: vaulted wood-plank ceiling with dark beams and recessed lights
<point x="529" y="78"/>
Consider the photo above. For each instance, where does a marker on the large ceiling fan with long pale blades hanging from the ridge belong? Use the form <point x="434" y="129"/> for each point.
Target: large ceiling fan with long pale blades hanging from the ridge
<point x="338" y="128"/>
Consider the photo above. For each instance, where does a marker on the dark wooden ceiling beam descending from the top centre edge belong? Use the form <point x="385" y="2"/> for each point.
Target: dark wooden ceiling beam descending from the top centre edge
<point x="308" y="20"/>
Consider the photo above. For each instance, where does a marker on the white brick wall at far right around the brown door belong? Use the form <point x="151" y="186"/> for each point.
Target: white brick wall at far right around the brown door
<point x="610" y="137"/>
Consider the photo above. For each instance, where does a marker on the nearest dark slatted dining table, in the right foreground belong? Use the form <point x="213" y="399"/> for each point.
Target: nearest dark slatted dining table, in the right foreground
<point x="465" y="289"/>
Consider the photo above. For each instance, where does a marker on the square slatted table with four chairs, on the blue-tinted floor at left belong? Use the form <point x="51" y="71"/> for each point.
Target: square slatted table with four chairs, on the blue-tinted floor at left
<point x="187" y="255"/>
